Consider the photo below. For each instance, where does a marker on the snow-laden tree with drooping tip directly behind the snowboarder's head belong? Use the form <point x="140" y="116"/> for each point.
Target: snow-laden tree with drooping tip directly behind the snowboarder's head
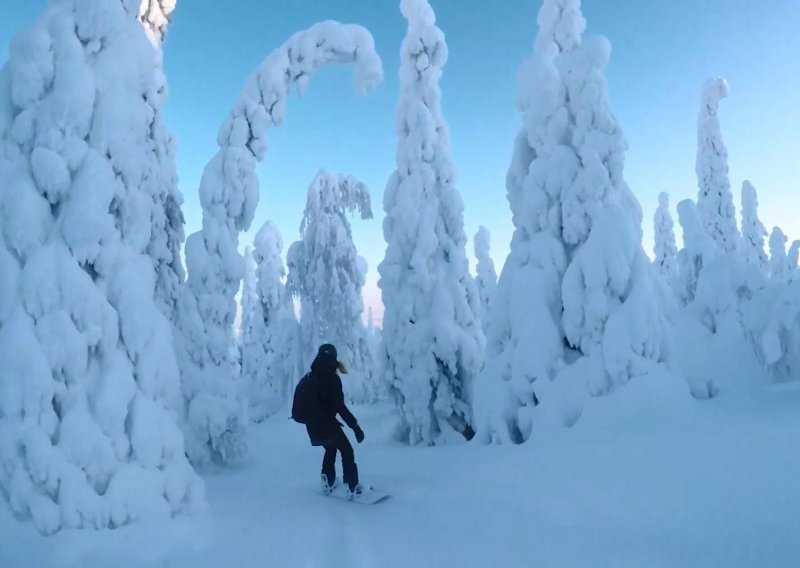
<point x="327" y="275"/>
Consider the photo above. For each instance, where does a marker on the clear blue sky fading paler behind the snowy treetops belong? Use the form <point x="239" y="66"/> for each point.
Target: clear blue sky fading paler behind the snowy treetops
<point x="662" y="52"/>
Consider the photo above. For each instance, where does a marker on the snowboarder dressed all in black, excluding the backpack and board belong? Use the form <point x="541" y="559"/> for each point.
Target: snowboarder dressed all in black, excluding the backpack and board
<point x="323" y="427"/>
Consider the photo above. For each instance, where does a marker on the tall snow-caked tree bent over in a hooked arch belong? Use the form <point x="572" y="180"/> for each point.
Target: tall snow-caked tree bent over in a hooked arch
<point x="228" y="196"/>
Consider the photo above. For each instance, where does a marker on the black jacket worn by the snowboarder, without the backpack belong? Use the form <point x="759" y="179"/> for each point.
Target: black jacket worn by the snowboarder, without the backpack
<point x="330" y="402"/>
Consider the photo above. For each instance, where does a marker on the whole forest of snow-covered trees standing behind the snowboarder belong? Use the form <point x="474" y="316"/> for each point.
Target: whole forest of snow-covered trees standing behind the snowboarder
<point x="122" y="374"/>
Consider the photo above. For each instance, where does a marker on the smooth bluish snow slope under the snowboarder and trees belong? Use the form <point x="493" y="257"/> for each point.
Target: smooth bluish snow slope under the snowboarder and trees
<point x="648" y="477"/>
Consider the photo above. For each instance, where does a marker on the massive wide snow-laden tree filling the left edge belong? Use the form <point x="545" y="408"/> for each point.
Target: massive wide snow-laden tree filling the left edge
<point x="89" y="383"/>
